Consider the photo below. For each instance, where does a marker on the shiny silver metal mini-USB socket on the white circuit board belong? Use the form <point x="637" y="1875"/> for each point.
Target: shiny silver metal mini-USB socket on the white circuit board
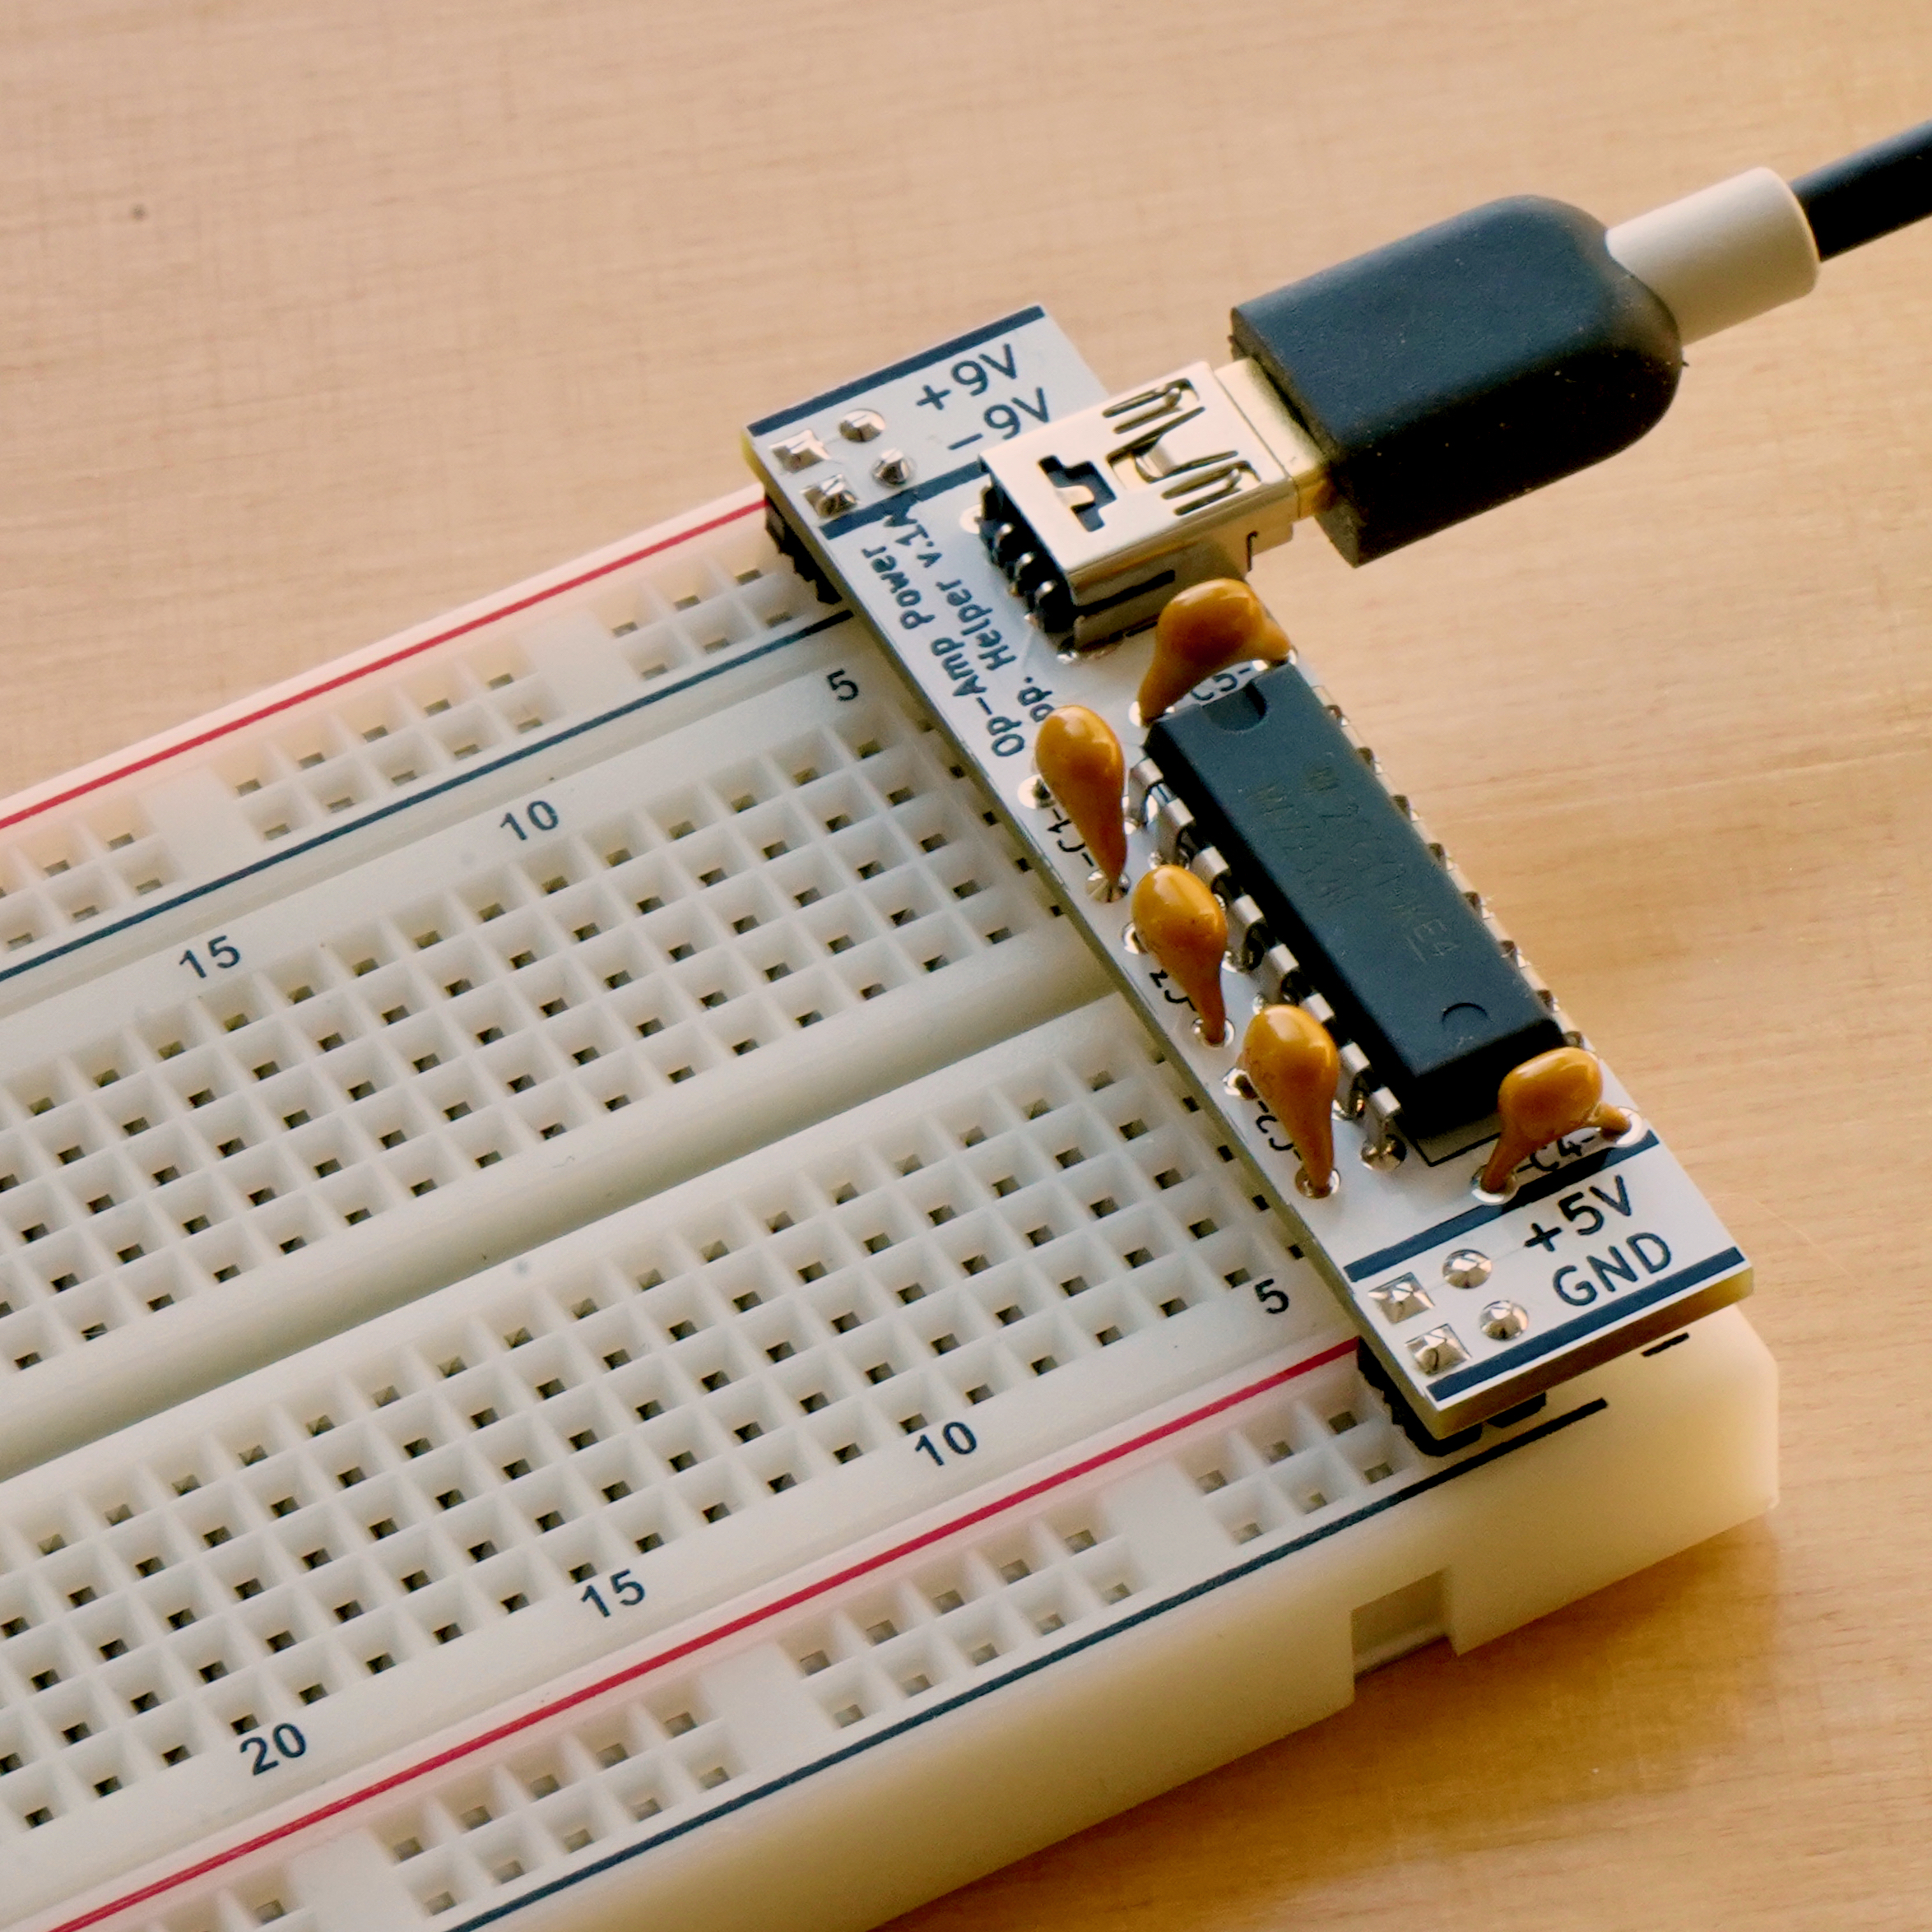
<point x="1098" y="519"/>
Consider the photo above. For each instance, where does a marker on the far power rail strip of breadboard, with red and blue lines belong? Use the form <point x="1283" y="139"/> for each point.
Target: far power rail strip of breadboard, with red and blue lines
<point x="177" y="832"/>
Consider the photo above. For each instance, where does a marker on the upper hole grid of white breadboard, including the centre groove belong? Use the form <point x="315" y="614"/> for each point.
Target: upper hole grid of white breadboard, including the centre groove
<point x="430" y="1058"/>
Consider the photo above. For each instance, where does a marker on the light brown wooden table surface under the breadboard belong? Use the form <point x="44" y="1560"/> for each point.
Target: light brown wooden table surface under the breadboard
<point x="322" y="318"/>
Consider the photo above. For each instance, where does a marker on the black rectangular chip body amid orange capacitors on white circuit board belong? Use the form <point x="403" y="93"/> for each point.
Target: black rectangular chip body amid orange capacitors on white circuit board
<point x="1350" y="888"/>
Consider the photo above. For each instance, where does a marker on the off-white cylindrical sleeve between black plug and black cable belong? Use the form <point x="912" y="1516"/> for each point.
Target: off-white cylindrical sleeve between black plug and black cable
<point x="1724" y="254"/>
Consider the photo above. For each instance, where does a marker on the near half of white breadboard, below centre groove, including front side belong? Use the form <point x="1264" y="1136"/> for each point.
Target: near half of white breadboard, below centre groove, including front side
<point x="986" y="1421"/>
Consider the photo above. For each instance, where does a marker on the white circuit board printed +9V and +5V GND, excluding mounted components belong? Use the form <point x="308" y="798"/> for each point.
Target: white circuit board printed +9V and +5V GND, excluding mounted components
<point x="1606" y="1249"/>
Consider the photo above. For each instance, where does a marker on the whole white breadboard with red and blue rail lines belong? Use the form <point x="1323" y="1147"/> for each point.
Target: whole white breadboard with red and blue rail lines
<point x="950" y="1452"/>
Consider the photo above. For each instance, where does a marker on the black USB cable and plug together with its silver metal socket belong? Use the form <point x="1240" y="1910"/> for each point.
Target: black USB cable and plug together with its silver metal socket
<point x="1417" y="385"/>
